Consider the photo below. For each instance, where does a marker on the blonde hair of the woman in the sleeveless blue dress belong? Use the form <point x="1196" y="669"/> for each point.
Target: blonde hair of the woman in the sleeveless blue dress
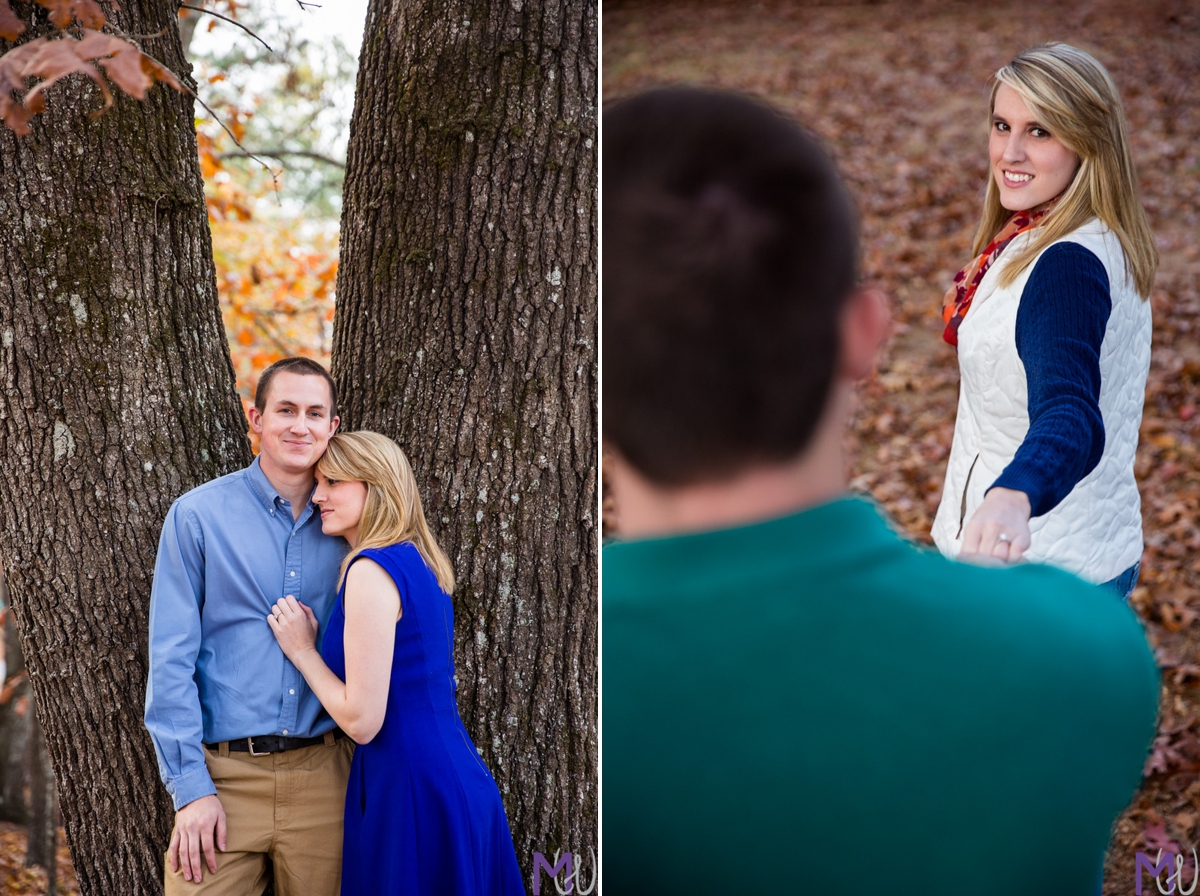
<point x="393" y="512"/>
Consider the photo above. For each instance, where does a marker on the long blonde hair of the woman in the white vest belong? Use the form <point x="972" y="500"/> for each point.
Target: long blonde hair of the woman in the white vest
<point x="1072" y="94"/>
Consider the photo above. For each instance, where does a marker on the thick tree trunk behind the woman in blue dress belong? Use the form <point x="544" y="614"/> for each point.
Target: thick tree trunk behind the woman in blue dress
<point x="466" y="329"/>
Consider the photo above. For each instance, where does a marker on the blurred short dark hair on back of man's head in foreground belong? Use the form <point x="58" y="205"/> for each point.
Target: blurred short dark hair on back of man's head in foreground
<point x="730" y="251"/>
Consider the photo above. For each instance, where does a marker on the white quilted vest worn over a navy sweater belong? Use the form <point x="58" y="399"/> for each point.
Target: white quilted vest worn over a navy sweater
<point x="1096" y="531"/>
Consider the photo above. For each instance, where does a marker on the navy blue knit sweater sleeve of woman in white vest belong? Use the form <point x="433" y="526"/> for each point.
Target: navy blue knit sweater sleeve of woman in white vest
<point x="1060" y="326"/>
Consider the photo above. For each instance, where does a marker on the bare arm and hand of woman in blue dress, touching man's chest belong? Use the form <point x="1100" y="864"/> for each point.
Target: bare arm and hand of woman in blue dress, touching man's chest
<point x="373" y="608"/>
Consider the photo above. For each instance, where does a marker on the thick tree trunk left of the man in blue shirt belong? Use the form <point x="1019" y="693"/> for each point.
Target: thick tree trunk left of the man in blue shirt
<point x="117" y="395"/>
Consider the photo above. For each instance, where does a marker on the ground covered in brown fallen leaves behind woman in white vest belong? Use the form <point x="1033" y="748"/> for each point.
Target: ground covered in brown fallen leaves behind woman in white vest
<point x="898" y="93"/>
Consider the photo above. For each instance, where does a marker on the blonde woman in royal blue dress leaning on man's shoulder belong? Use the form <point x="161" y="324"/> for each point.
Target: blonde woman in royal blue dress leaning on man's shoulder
<point x="423" y="813"/>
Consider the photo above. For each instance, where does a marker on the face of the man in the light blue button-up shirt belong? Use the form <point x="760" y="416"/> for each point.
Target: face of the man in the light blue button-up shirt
<point x="296" y="425"/>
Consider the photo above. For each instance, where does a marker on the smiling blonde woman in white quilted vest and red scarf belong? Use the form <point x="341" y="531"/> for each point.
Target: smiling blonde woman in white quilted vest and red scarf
<point x="1053" y="332"/>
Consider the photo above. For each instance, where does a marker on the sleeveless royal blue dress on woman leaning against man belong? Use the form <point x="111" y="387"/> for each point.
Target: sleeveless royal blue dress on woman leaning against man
<point x="423" y="813"/>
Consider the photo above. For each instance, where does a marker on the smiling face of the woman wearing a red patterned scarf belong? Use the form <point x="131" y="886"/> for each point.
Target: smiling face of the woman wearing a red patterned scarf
<point x="1030" y="165"/>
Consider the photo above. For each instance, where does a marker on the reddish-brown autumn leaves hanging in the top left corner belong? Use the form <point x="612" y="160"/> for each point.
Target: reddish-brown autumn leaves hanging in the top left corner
<point x="50" y="59"/>
